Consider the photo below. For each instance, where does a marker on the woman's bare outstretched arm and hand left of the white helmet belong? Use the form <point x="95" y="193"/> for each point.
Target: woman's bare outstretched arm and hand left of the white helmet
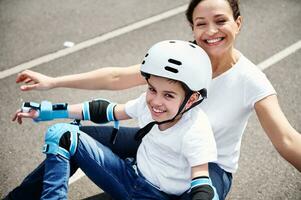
<point x="109" y="78"/>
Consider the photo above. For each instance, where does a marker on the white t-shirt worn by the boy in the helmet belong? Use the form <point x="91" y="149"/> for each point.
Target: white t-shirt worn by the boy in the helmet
<point x="165" y="157"/>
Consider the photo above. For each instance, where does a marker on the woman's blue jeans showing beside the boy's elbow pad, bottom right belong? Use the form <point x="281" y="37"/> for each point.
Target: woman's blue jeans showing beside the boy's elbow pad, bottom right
<point x="221" y="180"/>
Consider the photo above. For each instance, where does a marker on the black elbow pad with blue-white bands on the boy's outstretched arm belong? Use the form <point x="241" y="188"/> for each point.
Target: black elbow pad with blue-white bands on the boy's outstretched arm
<point x="101" y="111"/>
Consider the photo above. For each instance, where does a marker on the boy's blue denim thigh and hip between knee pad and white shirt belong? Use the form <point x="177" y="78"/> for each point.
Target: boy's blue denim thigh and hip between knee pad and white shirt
<point x="112" y="174"/>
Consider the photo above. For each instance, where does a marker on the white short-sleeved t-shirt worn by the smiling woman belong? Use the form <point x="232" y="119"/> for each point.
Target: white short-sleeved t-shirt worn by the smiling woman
<point x="230" y="102"/>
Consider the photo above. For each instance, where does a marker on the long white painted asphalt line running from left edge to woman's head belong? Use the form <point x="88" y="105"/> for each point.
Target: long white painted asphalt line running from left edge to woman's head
<point x="91" y="42"/>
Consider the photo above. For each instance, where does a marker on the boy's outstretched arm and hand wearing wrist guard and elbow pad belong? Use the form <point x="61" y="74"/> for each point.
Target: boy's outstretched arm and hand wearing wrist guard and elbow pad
<point x="98" y="111"/>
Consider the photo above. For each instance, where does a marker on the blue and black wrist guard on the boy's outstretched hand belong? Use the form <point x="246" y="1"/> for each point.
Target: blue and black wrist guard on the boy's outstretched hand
<point x="47" y="110"/>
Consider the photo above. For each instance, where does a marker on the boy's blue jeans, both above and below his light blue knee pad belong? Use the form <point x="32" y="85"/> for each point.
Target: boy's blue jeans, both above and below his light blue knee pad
<point x="117" y="177"/>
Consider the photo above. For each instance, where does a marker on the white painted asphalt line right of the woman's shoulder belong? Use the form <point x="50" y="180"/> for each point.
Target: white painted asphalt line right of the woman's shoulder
<point x="279" y="56"/>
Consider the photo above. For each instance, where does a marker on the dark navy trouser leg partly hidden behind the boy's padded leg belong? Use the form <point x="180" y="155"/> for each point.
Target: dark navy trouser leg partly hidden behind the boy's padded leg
<point x="125" y="146"/>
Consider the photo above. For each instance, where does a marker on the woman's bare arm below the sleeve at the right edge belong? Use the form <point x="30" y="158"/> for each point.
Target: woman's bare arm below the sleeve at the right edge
<point x="284" y="137"/>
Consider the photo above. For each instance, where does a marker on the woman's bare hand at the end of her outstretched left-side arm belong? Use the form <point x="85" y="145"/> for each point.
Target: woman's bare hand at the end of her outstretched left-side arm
<point x="34" y="81"/>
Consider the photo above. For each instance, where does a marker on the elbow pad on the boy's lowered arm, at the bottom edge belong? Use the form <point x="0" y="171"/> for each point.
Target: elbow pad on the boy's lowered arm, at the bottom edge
<point x="202" y="189"/>
